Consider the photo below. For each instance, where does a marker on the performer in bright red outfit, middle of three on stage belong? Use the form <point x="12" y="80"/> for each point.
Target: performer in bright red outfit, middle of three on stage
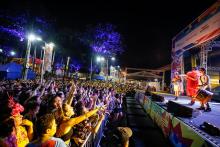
<point x="192" y="78"/>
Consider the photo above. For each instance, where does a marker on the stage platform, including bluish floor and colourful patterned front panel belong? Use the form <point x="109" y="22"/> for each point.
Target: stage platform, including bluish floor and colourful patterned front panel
<point x="182" y="131"/>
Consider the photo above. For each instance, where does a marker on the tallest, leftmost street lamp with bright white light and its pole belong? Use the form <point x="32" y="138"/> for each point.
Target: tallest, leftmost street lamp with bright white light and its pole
<point x="31" y="38"/>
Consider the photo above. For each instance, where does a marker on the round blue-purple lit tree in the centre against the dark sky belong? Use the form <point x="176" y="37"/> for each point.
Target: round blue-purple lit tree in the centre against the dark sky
<point x="103" y="39"/>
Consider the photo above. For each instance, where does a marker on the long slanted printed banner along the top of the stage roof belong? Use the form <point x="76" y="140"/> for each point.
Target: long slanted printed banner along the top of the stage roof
<point x="204" y="28"/>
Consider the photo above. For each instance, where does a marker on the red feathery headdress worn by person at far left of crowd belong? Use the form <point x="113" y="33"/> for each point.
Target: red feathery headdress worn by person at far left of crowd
<point x="16" y="107"/>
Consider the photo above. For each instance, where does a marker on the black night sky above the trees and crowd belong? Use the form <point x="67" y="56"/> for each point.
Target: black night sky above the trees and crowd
<point x="147" y="27"/>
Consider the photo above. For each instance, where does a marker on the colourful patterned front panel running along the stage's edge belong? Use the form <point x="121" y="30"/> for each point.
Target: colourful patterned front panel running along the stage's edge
<point x="179" y="133"/>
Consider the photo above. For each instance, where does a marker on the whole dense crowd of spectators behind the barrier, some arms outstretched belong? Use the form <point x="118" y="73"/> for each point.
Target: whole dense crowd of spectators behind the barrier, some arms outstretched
<point x="55" y="112"/>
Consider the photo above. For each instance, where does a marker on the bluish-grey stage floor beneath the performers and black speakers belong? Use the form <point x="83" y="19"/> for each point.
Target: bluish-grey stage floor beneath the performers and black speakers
<point x="199" y="116"/>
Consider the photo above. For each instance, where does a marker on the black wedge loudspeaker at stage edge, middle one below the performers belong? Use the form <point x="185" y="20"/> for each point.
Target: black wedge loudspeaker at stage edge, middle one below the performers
<point x="179" y="110"/>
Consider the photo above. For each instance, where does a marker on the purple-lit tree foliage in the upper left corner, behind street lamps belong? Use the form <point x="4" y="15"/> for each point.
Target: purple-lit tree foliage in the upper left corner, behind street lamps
<point x="14" y="27"/>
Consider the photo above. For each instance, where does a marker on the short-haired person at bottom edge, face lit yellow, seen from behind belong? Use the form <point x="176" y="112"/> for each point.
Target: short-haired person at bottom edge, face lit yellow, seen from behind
<point x="46" y="129"/>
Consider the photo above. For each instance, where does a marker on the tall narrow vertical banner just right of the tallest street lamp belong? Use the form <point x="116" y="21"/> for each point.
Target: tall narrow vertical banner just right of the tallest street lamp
<point x="48" y="58"/>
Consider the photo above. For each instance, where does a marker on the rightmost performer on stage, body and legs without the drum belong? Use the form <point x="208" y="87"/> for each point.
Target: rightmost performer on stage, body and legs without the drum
<point x="204" y="84"/>
